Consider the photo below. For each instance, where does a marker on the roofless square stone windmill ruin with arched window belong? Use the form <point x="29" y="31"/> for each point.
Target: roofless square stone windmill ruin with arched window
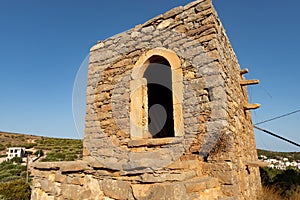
<point x="181" y="68"/>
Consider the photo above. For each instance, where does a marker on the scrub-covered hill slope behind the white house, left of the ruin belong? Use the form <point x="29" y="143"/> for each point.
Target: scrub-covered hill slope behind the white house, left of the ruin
<point x="55" y="149"/>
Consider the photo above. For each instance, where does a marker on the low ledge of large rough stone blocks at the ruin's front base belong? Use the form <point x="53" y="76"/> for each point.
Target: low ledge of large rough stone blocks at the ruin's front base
<point x="78" y="180"/>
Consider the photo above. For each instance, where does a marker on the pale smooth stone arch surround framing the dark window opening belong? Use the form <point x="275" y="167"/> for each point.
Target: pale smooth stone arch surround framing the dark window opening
<point x="139" y="98"/>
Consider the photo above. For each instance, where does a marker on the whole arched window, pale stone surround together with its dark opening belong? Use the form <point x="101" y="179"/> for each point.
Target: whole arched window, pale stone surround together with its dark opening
<point x="156" y="96"/>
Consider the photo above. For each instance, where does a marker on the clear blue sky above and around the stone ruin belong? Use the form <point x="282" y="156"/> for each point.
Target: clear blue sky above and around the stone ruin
<point x="43" y="43"/>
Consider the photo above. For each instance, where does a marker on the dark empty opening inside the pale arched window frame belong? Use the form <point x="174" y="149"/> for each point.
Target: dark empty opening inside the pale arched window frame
<point x="160" y="99"/>
